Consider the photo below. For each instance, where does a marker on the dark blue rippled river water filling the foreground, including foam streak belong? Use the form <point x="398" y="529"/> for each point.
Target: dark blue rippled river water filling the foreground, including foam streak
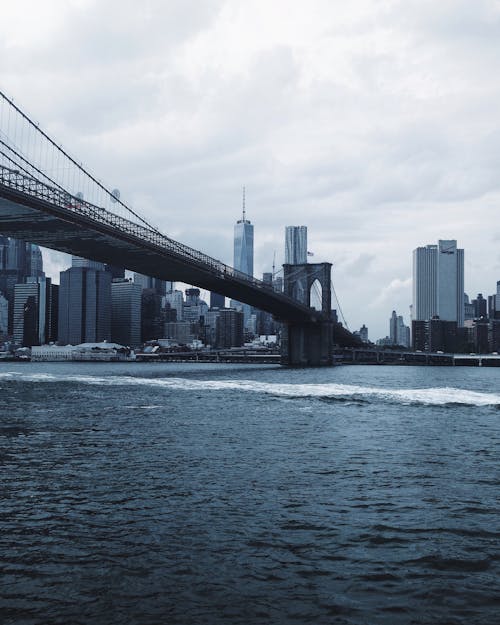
<point x="200" y="494"/>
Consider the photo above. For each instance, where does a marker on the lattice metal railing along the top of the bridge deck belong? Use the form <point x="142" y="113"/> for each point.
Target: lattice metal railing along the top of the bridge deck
<point x="26" y="184"/>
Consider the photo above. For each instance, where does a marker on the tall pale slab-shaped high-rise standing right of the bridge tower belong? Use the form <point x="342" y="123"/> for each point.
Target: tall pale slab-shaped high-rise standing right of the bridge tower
<point x="438" y="282"/>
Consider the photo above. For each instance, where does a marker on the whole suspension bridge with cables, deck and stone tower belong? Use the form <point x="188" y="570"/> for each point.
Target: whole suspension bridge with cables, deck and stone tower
<point x="47" y="197"/>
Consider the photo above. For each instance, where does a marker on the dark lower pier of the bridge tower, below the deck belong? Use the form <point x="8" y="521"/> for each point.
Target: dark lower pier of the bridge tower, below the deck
<point x="307" y="345"/>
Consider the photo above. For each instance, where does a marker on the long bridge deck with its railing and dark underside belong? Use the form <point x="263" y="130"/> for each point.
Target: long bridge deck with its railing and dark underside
<point x="45" y="216"/>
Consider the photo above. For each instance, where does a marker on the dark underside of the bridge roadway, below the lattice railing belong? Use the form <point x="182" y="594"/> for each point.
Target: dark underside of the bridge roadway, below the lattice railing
<point x="40" y="222"/>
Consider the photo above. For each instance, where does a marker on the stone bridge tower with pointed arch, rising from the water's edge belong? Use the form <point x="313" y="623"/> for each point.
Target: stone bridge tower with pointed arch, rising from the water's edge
<point x="309" y="344"/>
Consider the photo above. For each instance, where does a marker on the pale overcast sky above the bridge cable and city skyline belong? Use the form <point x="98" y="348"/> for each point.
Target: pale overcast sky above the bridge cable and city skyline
<point x="376" y="123"/>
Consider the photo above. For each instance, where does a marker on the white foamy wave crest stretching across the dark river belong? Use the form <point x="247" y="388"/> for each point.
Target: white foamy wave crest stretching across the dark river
<point x="430" y="396"/>
